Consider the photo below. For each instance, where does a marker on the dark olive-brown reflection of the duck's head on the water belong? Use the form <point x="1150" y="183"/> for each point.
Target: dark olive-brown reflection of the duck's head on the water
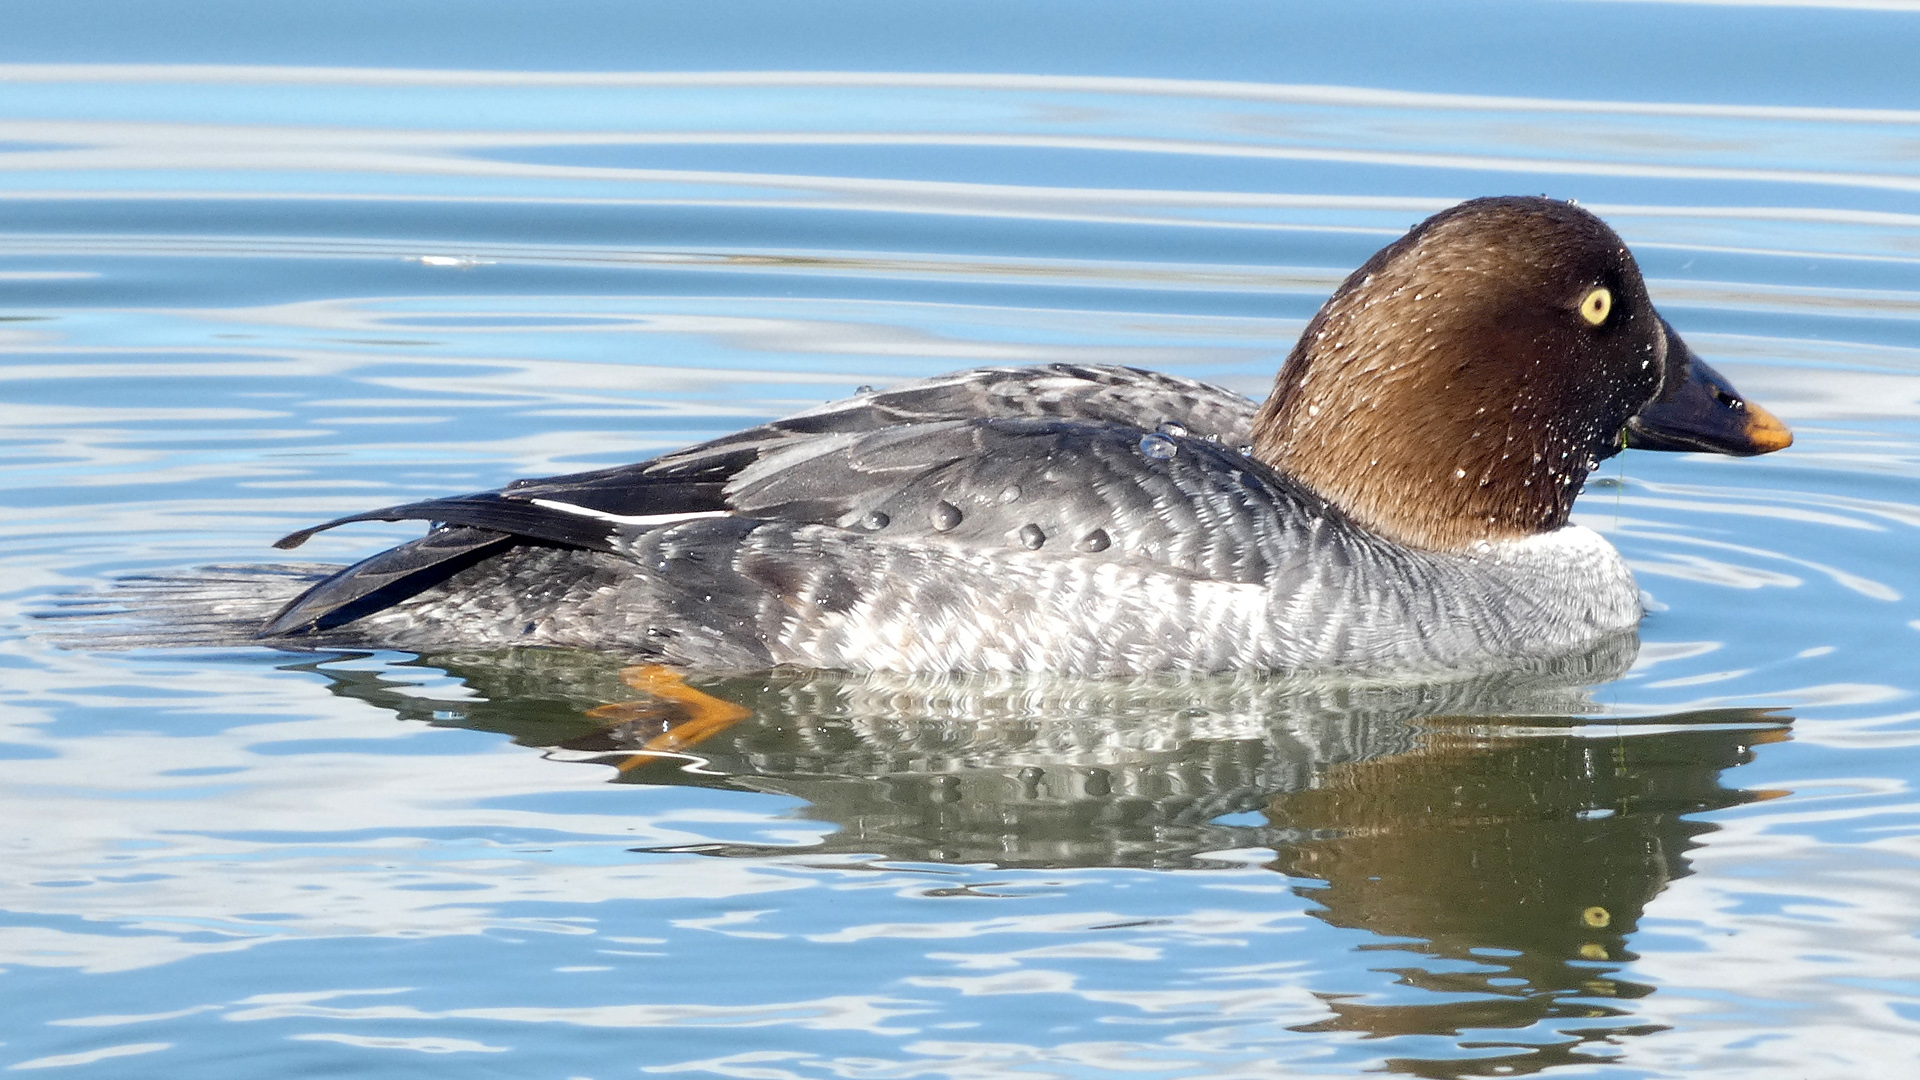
<point x="1514" y="866"/>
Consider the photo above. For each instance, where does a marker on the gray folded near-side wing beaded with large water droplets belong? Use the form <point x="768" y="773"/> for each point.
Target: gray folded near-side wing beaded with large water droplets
<point x="1097" y="491"/>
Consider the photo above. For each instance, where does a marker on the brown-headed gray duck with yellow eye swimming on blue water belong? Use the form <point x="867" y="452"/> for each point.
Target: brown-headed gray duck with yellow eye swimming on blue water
<point x="1399" y="503"/>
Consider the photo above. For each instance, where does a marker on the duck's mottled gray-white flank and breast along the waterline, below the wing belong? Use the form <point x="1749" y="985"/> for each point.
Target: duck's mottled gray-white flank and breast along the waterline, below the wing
<point x="744" y="595"/>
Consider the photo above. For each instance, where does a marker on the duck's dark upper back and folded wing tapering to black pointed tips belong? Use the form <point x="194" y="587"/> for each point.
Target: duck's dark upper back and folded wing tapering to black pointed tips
<point x="604" y="510"/>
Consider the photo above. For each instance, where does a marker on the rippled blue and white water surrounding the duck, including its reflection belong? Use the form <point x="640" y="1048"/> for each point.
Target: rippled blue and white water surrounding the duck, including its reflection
<point x="264" y="264"/>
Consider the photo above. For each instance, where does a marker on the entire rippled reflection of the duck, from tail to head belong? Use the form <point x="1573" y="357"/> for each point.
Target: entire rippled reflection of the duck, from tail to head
<point x="1493" y="841"/>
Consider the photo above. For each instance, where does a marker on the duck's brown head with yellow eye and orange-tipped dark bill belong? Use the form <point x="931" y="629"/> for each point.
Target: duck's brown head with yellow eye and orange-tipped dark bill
<point x="1466" y="380"/>
